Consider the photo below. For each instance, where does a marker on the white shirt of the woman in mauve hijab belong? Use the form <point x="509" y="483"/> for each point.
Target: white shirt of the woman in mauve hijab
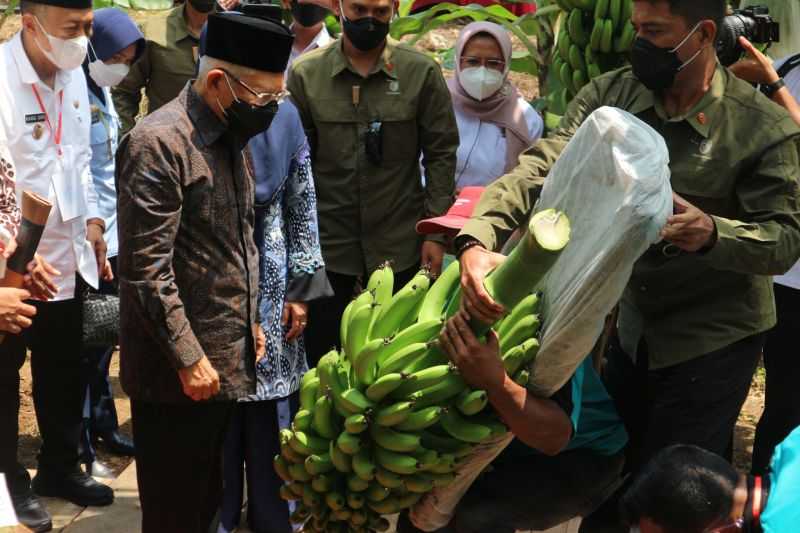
<point x="482" y="149"/>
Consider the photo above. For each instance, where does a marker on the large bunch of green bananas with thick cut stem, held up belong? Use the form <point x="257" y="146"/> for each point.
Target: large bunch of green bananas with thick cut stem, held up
<point x="387" y="418"/>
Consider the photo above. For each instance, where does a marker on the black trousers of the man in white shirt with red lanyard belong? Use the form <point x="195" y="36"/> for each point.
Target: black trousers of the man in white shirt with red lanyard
<point x="59" y="373"/>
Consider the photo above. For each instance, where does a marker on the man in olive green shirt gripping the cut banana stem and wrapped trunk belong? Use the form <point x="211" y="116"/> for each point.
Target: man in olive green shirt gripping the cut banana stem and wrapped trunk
<point x="693" y="316"/>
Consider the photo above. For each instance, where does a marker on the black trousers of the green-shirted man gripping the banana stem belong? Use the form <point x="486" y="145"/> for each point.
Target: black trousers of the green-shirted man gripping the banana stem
<point x="696" y="402"/>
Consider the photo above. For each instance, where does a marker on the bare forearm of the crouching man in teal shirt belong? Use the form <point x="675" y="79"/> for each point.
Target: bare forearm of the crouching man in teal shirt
<point x="538" y="422"/>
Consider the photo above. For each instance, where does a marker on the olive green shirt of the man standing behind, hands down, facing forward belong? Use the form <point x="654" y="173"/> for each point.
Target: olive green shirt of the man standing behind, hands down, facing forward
<point x="367" y="213"/>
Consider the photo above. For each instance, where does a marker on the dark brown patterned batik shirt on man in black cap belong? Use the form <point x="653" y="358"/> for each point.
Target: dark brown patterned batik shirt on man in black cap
<point x="188" y="264"/>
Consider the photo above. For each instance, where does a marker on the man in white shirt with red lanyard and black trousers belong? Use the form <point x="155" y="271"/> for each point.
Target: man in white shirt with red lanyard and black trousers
<point x="45" y="117"/>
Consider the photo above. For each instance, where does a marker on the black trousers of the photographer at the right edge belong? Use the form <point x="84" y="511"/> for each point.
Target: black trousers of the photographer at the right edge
<point x="782" y="402"/>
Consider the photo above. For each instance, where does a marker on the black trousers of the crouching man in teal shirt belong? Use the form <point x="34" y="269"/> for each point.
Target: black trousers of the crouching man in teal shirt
<point x="533" y="493"/>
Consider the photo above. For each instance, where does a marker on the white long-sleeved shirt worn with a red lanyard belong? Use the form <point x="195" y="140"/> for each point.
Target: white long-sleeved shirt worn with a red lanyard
<point x="65" y="180"/>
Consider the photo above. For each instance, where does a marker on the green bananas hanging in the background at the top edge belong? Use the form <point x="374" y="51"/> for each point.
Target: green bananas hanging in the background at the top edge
<point x="594" y="38"/>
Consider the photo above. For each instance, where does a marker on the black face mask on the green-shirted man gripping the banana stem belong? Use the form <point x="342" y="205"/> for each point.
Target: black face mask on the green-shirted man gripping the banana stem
<point x="657" y="67"/>
